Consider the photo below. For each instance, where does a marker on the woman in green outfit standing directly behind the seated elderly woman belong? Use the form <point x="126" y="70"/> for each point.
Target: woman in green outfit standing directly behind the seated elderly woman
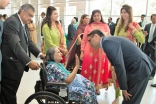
<point x="53" y="32"/>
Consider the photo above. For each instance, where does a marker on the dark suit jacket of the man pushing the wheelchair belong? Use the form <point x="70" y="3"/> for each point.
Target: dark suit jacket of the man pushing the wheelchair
<point x="14" y="47"/>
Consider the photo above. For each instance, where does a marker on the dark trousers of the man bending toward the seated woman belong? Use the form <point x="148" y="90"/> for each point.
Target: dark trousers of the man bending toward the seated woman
<point x="137" y="92"/>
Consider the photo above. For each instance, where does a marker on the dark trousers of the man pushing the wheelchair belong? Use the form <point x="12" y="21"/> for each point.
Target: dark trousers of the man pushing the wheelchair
<point x="9" y="90"/>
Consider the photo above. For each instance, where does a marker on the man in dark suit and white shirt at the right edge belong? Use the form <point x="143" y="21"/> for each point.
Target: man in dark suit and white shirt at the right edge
<point x="150" y="41"/>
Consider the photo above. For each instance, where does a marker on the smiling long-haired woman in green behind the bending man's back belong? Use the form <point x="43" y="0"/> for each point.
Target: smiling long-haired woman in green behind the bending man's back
<point x="127" y="28"/>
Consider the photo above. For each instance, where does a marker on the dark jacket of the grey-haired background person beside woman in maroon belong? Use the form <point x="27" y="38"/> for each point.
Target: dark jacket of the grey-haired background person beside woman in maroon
<point x="71" y="32"/>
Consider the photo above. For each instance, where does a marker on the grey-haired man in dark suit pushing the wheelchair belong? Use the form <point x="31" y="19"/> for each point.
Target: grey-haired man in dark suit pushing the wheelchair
<point x="16" y="45"/>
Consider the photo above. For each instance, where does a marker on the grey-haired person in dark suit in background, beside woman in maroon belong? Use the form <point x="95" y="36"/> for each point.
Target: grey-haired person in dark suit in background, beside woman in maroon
<point x="71" y="32"/>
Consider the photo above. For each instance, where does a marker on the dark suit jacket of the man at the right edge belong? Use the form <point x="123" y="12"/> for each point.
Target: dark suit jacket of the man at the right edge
<point x="147" y="28"/>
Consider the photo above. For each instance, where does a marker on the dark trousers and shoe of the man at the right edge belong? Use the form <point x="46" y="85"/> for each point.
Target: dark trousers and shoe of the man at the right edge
<point x="151" y="53"/>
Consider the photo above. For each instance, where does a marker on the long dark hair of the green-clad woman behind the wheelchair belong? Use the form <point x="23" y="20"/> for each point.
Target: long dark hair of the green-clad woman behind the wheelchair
<point x="49" y="12"/>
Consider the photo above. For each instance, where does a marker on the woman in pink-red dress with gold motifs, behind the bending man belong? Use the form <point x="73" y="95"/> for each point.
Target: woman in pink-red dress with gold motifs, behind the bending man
<point x="95" y="66"/>
